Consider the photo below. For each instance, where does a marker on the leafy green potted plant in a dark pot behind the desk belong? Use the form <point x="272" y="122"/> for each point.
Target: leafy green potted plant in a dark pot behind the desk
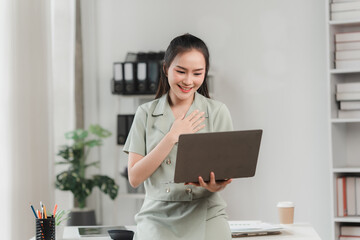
<point x="75" y="179"/>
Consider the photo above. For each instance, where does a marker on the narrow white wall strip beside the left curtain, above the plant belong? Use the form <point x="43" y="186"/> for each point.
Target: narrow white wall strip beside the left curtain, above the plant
<point x="63" y="41"/>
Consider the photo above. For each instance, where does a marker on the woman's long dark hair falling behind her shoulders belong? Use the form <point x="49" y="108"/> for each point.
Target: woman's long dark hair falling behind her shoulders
<point x="178" y="45"/>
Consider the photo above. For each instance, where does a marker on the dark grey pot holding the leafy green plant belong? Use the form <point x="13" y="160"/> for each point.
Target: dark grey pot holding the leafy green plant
<point x="82" y="217"/>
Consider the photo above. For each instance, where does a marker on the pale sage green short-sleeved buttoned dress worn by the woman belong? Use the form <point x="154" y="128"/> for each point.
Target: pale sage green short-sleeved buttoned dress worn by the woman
<point x="171" y="210"/>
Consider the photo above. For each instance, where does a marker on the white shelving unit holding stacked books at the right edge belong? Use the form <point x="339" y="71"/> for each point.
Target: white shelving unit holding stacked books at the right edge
<point x="344" y="133"/>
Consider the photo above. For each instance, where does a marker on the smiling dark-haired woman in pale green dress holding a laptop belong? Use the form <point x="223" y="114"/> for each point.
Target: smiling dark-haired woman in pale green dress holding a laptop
<point x="182" y="105"/>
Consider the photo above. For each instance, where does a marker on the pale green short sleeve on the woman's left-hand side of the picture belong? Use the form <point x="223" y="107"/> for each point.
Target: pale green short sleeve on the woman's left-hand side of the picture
<point x="135" y="141"/>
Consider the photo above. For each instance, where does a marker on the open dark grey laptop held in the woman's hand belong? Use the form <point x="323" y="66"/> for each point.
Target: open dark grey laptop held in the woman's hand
<point x="231" y="154"/>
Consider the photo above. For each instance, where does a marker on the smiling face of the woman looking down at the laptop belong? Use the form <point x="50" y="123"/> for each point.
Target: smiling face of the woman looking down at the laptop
<point x="185" y="75"/>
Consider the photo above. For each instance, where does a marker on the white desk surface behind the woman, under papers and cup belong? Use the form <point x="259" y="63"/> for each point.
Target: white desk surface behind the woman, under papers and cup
<point x="290" y="232"/>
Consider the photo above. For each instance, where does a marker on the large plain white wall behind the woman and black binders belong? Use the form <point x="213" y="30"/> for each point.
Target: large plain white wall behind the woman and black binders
<point x="268" y="61"/>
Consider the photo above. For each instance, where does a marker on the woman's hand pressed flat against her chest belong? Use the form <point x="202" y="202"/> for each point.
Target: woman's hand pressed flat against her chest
<point x="189" y="124"/>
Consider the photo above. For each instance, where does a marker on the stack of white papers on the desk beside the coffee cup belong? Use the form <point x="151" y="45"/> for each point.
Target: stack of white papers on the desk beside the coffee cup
<point x="248" y="228"/>
